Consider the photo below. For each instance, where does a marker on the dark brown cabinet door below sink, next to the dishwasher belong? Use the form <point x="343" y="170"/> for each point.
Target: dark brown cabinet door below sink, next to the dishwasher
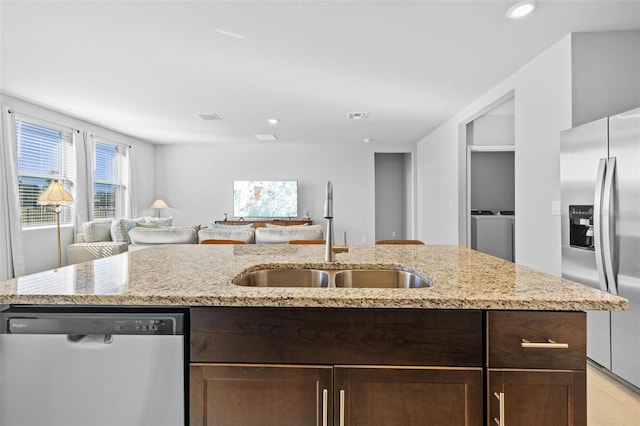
<point x="259" y="395"/>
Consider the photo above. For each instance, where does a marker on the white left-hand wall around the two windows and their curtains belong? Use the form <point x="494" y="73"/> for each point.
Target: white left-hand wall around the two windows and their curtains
<point x="40" y="243"/>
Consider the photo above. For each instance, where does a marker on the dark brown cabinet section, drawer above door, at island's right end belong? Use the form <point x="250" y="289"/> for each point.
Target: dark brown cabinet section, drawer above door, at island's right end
<point x="536" y="368"/>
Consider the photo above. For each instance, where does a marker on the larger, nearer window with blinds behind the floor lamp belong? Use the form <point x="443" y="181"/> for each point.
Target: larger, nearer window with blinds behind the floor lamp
<point x="45" y="152"/>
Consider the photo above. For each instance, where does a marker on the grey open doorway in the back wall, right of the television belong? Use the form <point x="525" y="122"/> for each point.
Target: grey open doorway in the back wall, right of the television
<point x="392" y="195"/>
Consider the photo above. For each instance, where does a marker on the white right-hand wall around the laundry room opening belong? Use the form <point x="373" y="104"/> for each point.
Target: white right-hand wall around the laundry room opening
<point x="542" y="91"/>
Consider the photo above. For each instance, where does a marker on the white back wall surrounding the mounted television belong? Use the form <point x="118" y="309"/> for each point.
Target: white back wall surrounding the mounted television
<point x="196" y="180"/>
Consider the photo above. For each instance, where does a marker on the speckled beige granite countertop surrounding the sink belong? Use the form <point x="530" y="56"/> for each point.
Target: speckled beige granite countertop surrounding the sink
<point x="201" y="275"/>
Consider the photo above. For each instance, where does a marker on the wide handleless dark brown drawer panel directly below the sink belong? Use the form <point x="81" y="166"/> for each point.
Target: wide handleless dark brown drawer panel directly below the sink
<point x="336" y="336"/>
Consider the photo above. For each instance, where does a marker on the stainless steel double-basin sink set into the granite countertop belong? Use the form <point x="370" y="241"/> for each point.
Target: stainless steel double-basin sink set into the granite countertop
<point x="343" y="278"/>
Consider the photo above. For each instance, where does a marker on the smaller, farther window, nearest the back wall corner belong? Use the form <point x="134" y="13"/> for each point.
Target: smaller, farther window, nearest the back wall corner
<point x="110" y="180"/>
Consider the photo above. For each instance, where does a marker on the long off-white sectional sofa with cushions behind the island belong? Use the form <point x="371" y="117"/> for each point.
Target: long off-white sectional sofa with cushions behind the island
<point x="107" y="237"/>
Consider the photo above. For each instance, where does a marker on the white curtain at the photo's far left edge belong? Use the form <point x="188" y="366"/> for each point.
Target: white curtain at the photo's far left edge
<point x="11" y="247"/>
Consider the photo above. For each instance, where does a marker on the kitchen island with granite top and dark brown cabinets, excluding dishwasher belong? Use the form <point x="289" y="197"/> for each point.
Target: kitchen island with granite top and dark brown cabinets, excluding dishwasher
<point x="487" y="342"/>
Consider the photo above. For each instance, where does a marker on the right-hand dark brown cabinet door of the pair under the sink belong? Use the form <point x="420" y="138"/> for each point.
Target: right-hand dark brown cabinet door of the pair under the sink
<point x="391" y="396"/>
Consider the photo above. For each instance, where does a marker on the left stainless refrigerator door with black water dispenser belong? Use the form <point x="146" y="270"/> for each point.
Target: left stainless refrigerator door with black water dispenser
<point x="581" y="151"/>
